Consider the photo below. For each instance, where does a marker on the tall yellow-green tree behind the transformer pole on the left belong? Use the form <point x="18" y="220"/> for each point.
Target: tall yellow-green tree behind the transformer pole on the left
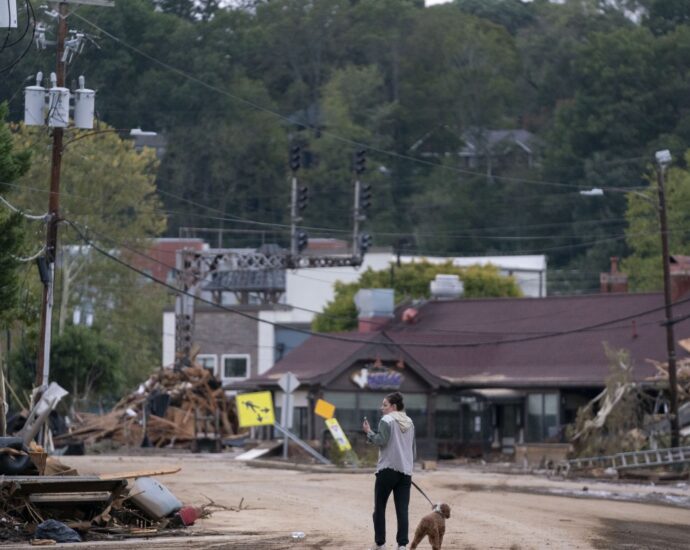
<point x="107" y="190"/>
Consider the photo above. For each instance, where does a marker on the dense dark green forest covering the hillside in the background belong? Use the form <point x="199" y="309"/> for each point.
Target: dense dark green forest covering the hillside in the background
<point x="233" y="85"/>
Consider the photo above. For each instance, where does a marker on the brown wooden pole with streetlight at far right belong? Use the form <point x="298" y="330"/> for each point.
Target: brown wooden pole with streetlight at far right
<point x="663" y="159"/>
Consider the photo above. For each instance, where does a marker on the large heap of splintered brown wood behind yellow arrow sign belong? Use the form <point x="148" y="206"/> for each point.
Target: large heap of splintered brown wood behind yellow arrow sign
<point x="174" y="408"/>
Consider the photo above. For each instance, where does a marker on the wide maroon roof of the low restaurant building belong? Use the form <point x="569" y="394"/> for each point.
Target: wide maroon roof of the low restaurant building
<point x="507" y="342"/>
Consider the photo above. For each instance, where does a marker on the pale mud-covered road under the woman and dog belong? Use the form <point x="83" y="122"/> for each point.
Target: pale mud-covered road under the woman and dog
<point x="333" y="509"/>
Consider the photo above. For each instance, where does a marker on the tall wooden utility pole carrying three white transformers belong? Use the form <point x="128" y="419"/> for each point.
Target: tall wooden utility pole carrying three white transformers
<point x="43" y="360"/>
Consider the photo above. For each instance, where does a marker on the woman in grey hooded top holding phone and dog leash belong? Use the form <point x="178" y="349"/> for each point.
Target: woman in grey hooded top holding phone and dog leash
<point x="395" y="439"/>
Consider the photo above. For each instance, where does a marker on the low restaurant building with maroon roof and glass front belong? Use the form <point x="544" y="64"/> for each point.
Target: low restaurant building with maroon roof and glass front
<point x="480" y="374"/>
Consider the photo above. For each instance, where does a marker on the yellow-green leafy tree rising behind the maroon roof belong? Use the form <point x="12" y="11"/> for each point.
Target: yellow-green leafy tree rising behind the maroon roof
<point x="410" y="281"/>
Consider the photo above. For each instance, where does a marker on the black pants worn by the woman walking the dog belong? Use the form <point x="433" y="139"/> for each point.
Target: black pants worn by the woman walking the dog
<point x="388" y="480"/>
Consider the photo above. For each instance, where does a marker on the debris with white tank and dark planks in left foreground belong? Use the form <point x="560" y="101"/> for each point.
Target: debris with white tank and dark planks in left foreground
<point x="71" y="508"/>
